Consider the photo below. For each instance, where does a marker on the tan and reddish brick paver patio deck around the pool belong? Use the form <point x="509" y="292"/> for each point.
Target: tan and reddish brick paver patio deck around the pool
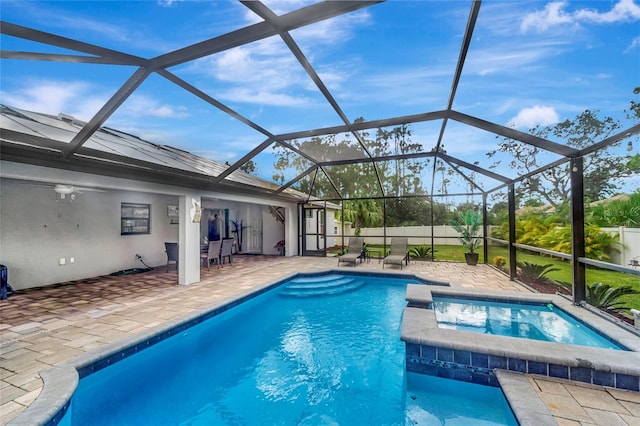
<point x="42" y="327"/>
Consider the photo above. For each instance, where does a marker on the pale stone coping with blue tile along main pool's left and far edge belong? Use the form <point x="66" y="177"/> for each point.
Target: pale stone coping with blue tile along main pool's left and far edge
<point x="61" y="381"/>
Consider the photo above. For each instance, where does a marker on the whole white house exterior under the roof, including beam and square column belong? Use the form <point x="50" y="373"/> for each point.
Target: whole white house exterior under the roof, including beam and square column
<point x="36" y="231"/>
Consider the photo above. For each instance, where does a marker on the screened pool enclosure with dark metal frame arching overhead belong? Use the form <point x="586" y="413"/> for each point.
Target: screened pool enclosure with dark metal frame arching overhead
<point x="391" y="117"/>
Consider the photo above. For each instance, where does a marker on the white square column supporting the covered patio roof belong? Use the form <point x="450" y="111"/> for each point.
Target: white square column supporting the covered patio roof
<point x="189" y="239"/>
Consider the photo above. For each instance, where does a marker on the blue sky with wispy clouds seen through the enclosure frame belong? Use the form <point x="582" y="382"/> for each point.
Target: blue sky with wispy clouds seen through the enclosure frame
<point x="529" y="63"/>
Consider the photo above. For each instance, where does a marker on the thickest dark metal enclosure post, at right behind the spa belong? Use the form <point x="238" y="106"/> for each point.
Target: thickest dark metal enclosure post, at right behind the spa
<point x="577" y="230"/>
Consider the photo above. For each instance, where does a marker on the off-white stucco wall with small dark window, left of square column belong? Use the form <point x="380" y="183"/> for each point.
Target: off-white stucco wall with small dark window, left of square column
<point x="37" y="229"/>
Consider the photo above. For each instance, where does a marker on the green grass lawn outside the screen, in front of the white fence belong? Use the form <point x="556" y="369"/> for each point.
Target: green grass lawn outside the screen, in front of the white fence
<point x="613" y="278"/>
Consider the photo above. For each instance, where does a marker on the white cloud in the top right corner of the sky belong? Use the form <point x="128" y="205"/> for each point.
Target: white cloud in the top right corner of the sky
<point x="554" y="14"/>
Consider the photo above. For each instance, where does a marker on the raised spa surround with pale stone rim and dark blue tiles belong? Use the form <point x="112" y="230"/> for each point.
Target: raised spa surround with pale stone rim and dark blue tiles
<point x="430" y="347"/>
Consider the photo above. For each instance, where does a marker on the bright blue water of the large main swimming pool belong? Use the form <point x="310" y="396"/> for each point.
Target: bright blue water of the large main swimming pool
<point x="320" y="350"/>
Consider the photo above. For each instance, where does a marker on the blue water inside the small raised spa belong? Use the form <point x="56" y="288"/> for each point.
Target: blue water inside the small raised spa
<point x="531" y="321"/>
